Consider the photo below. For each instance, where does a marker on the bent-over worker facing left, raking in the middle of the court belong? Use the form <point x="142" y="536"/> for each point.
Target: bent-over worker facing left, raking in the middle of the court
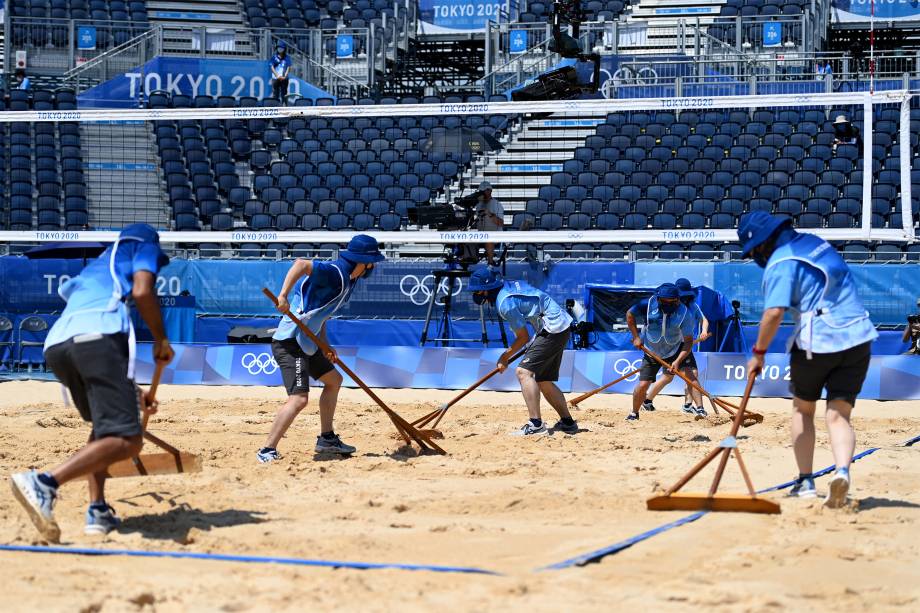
<point x="521" y="304"/>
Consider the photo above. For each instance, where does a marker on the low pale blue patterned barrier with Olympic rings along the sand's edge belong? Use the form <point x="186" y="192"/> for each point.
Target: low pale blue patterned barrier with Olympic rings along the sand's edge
<point x="889" y="378"/>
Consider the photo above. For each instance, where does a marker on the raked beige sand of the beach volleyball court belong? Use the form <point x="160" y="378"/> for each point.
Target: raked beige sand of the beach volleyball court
<point x="498" y="502"/>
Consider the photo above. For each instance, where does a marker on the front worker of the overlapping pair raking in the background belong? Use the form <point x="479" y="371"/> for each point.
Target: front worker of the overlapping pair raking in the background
<point x="668" y="333"/>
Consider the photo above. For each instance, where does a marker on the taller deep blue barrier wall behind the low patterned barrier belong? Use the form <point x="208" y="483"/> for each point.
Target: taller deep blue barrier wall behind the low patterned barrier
<point x="400" y="289"/>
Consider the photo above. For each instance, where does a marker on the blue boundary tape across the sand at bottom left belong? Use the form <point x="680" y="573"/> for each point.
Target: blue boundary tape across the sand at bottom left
<point x="87" y="551"/>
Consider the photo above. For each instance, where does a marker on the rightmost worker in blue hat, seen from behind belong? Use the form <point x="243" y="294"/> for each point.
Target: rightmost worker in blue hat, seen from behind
<point x="831" y="342"/>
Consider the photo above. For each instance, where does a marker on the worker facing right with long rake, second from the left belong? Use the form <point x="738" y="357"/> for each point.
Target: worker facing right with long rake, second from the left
<point x="320" y="289"/>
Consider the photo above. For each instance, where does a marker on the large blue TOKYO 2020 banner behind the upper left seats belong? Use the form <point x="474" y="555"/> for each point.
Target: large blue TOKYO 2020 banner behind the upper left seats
<point x="192" y="77"/>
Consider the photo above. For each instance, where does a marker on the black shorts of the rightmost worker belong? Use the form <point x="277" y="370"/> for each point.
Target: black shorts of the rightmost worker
<point x="842" y="373"/>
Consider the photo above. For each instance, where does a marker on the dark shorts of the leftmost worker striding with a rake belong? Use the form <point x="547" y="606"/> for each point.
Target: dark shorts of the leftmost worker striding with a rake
<point x="94" y="367"/>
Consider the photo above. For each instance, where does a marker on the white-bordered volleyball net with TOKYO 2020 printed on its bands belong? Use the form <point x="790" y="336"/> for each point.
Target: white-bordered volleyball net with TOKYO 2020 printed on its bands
<point x="592" y="172"/>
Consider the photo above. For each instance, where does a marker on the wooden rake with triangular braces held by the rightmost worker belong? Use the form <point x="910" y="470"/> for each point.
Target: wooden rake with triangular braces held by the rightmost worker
<point x="672" y="500"/>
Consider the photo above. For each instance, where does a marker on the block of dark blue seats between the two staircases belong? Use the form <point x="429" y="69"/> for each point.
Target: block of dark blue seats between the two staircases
<point x="304" y="172"/>
